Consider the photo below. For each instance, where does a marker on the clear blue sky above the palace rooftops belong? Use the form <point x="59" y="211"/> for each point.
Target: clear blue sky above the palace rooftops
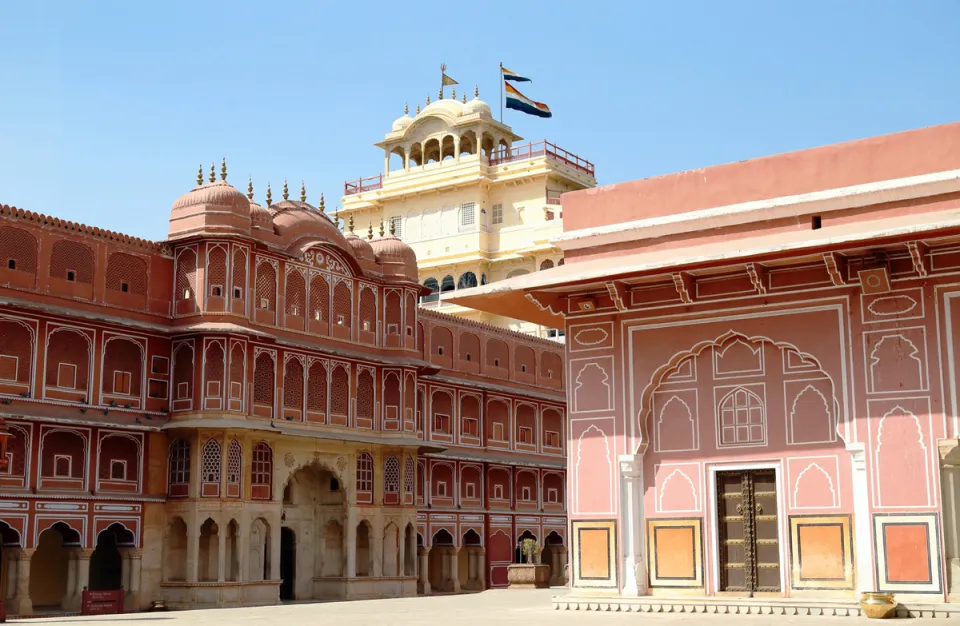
<point x="108" y="108"/>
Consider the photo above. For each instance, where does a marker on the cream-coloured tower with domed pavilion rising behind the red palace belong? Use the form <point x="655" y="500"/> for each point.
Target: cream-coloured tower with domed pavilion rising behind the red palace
<point x="475" y="204"/>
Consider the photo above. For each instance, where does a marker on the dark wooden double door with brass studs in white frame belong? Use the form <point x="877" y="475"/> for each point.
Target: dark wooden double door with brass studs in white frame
<point x="748" y="531"/>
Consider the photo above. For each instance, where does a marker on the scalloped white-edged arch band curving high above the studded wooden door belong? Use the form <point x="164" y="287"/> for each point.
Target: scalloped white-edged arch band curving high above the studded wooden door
<point x="674" y="364"/>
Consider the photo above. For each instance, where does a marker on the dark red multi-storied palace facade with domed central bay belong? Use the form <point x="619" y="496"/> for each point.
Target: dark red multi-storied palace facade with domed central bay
<point x="256" y="409"/>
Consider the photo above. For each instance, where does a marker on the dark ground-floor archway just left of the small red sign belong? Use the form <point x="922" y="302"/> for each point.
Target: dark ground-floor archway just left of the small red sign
<point x="51" y="561"/>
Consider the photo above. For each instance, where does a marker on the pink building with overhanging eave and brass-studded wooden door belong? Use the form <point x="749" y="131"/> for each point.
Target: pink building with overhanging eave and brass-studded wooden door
<point x="763" y="379"/>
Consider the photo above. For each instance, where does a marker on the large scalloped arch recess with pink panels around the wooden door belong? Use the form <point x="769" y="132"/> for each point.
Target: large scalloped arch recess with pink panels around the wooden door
<point x="741" y="462"/>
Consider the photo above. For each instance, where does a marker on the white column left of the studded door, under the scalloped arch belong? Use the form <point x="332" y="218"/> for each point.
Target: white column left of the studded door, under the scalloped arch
<point x="631" y="520"/>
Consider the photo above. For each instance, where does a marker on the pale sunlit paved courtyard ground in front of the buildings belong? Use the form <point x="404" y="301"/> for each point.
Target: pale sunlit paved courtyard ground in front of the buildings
<point x="490" y="608"/>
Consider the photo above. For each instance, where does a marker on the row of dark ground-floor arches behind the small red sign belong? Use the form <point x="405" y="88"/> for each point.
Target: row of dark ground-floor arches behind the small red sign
<point x="53" y="576"/>
